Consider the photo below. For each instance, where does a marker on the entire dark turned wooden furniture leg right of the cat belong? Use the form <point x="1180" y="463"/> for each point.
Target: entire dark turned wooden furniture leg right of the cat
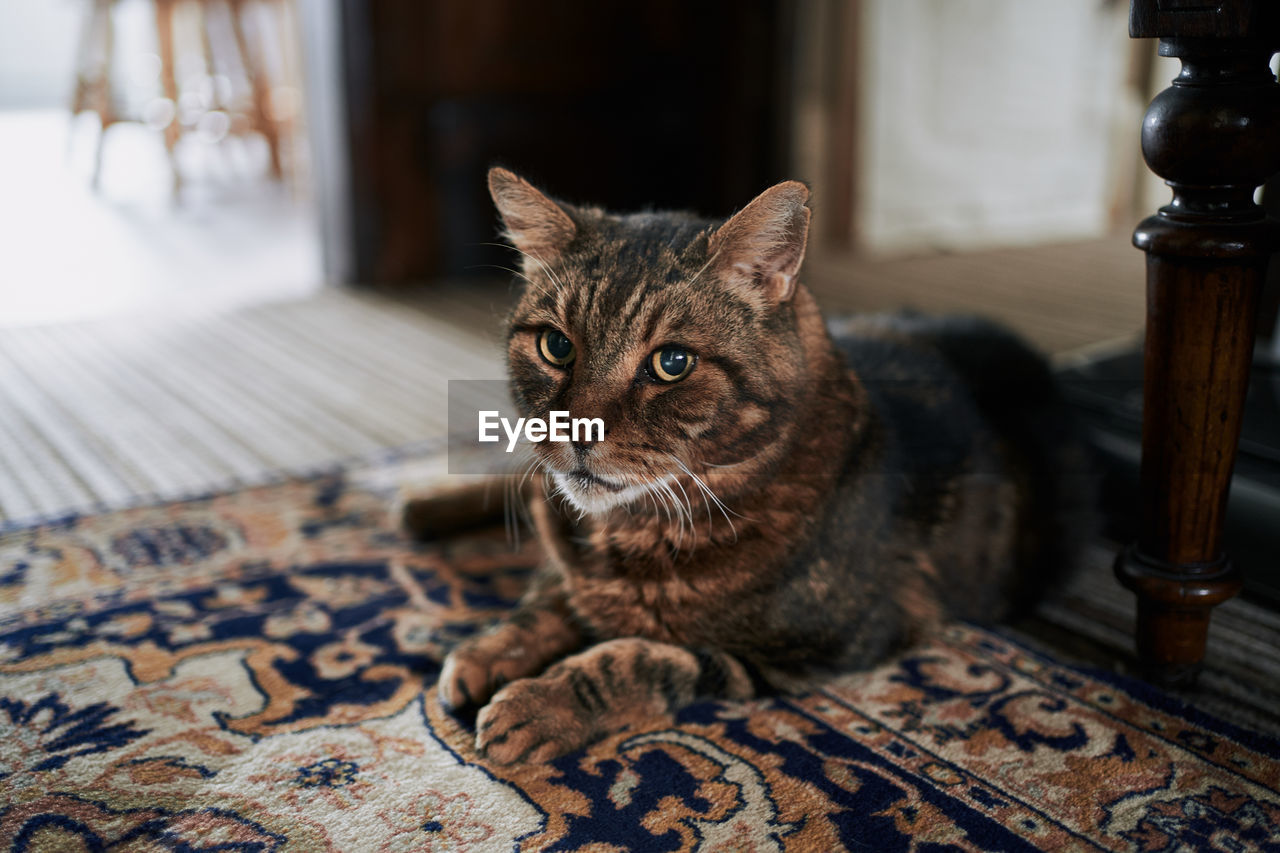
<point x="1214" y="136"/>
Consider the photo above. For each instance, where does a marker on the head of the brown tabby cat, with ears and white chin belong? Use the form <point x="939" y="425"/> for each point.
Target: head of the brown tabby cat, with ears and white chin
<point x="682" y="335"/>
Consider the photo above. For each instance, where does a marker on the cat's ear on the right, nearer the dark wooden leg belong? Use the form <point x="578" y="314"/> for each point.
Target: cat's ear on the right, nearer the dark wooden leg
<point x="761" y="248"/>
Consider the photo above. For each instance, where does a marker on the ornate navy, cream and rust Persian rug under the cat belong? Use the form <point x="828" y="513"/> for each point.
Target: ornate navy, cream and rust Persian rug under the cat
<point x="254" y="672"/>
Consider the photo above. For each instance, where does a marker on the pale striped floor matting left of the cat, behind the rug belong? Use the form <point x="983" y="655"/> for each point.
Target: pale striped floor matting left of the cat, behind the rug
<point x="121" y="412"/>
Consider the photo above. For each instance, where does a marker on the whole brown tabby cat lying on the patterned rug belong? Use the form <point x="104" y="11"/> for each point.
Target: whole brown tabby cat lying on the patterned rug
<point x="775" y="501"/>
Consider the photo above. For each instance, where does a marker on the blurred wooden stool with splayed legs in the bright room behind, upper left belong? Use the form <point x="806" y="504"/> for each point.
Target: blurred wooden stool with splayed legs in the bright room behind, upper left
<point x="225" y="52"/>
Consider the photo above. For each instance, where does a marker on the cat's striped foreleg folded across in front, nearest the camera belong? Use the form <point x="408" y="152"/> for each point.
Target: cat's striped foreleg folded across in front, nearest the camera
<point x="600" y="691"/>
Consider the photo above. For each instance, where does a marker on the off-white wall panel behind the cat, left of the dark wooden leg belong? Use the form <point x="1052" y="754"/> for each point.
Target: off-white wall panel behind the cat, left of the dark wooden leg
<point x="989" y="122"/>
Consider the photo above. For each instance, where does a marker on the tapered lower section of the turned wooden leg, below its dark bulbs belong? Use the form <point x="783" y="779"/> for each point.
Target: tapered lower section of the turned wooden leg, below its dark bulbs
<point x="1200" y="343"/>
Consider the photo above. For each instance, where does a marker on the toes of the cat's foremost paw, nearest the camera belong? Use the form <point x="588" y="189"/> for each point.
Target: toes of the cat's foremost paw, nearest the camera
<point x="528" y="722"/>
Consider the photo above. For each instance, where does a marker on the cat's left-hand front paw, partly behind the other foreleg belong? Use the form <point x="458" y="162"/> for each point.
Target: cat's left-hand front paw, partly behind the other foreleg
<point x="522" y="645"/>
